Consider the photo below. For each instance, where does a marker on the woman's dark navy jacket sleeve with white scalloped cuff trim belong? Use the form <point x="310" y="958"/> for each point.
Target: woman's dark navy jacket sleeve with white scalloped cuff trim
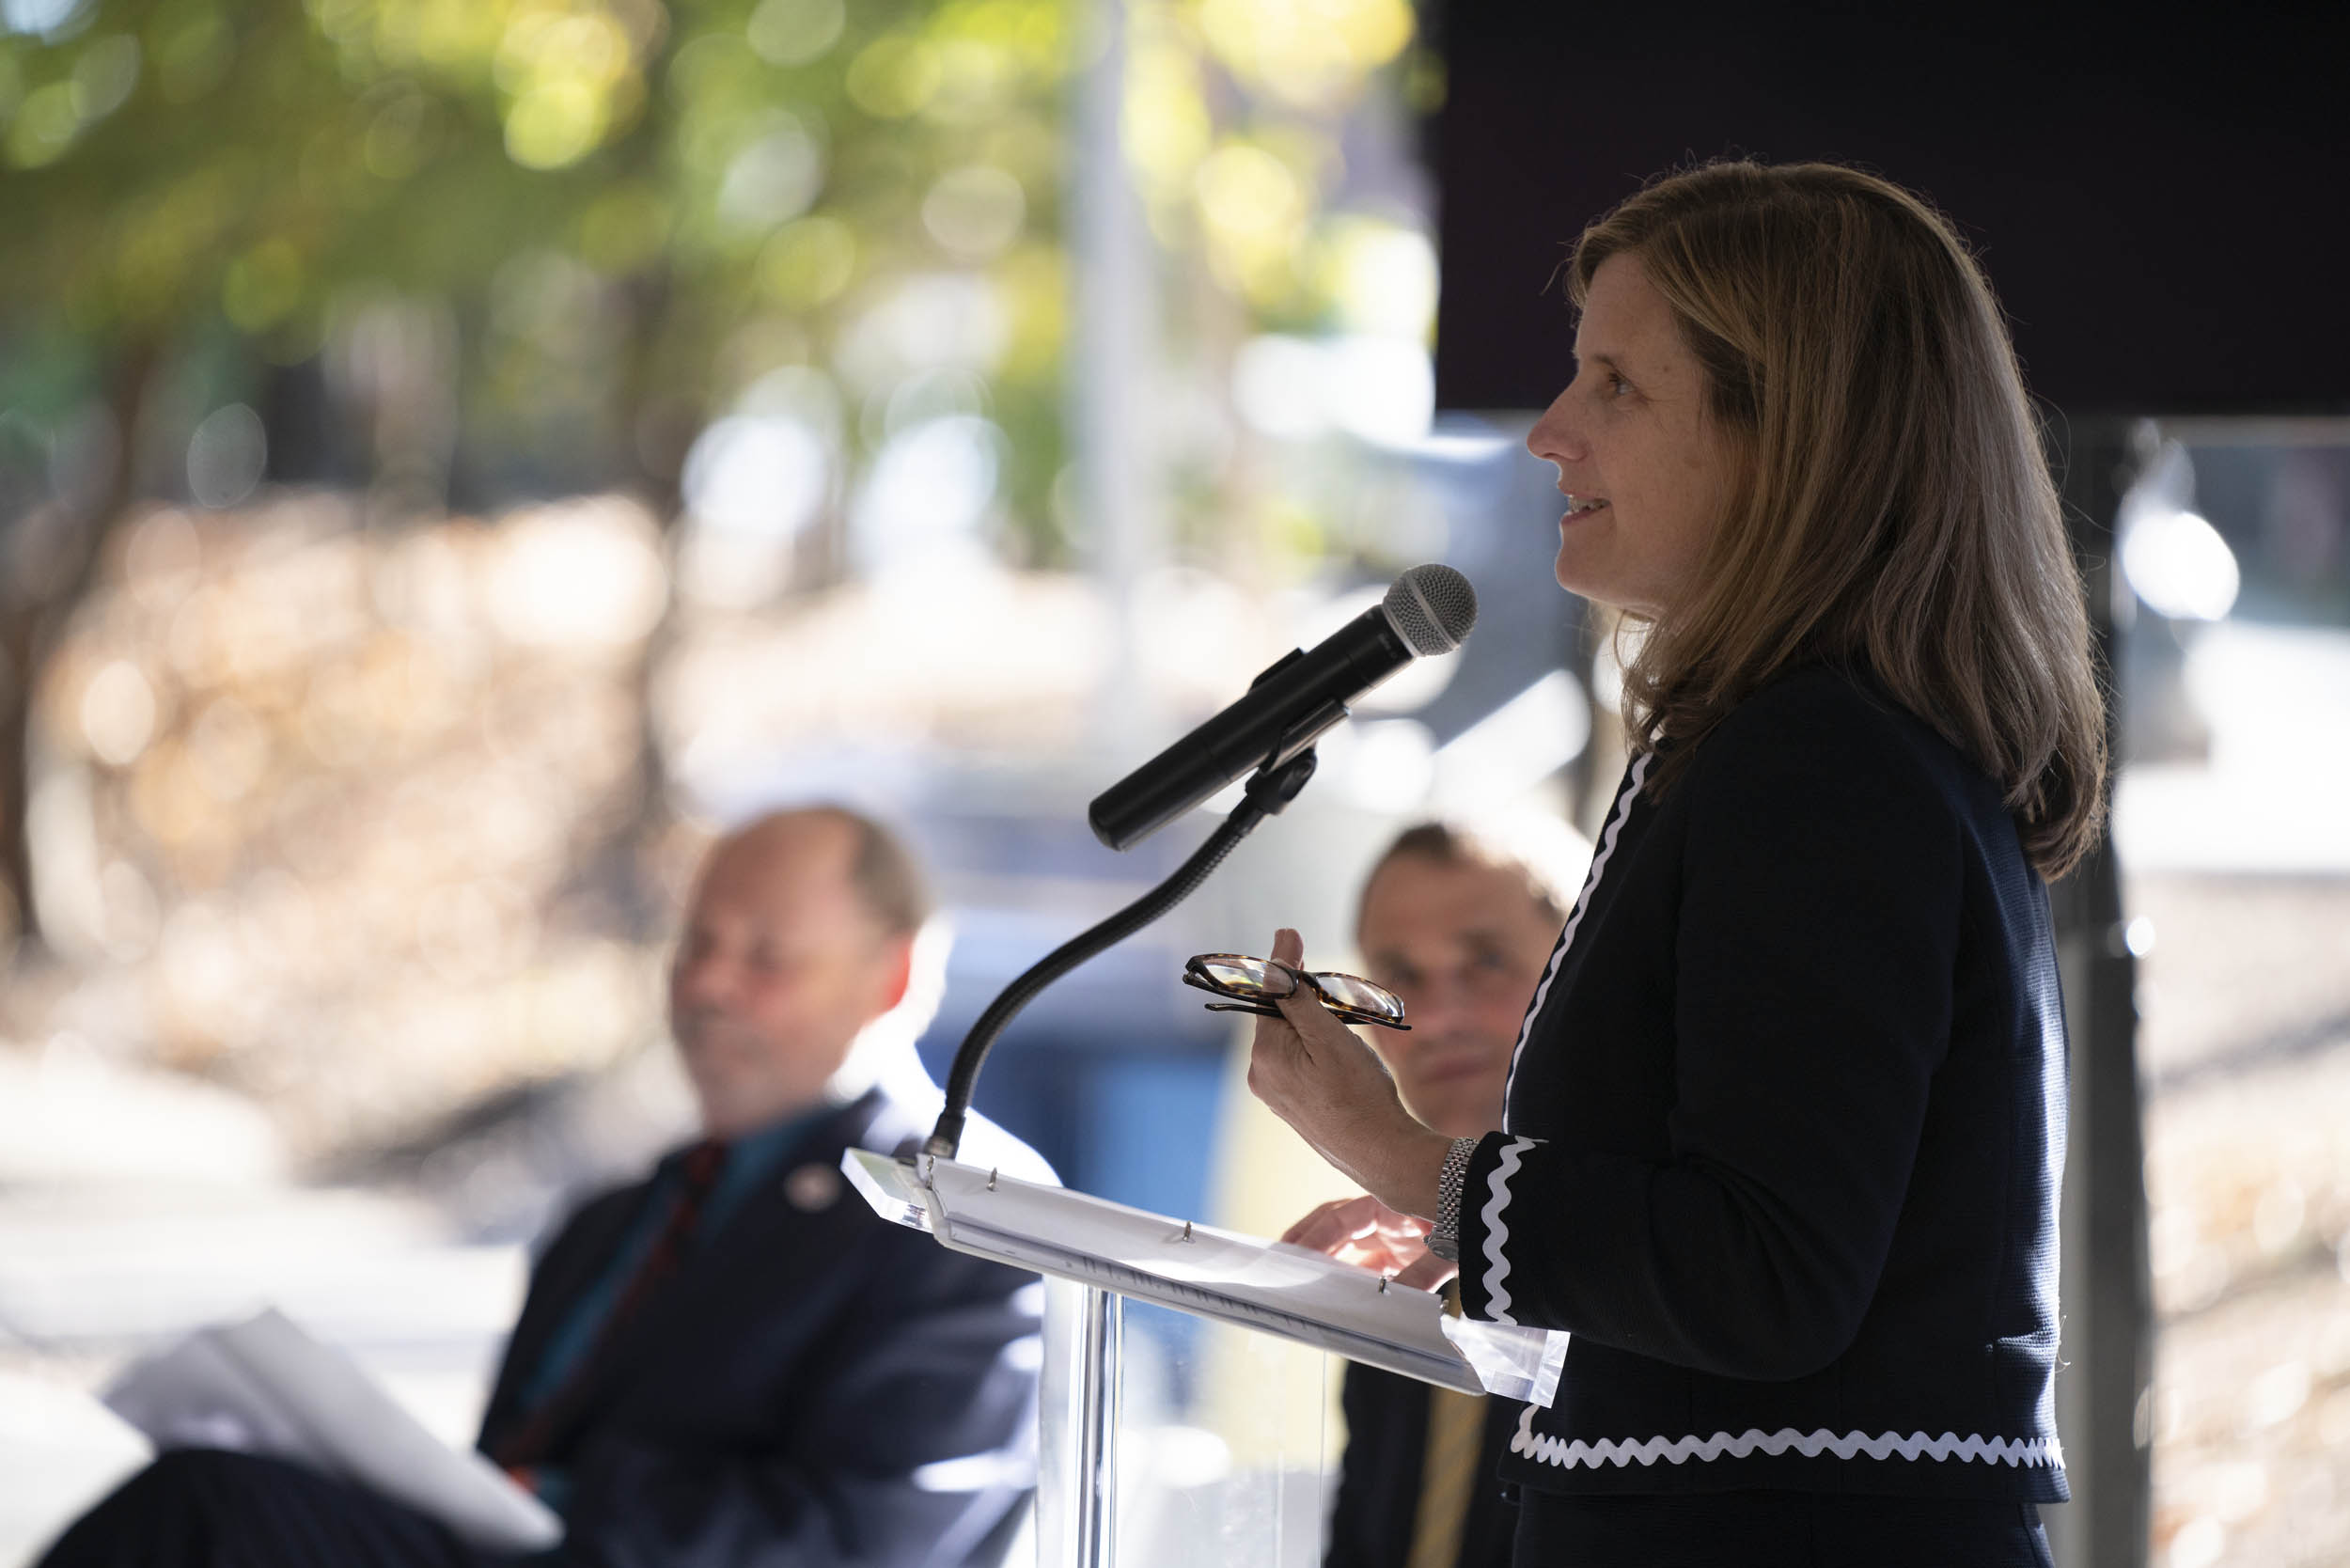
<point x="1813" y="953"/>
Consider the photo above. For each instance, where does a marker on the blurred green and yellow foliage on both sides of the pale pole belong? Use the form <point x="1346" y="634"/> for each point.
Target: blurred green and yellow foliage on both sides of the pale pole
<point x="622" y="215"/>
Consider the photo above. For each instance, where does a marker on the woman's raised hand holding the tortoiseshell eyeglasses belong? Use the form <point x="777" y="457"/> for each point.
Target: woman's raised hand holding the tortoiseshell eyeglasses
<point x="1327" y="1085"/>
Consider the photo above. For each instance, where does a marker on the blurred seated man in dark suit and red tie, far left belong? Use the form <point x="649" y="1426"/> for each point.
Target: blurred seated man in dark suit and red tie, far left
<point x="734" y="1360"/>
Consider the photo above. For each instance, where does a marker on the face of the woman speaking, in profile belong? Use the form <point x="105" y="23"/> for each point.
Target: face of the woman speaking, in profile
<point x="1644" y="467"/>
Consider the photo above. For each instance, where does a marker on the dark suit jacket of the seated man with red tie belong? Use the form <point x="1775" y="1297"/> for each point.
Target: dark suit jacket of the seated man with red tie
<point x="814" y="1386"/>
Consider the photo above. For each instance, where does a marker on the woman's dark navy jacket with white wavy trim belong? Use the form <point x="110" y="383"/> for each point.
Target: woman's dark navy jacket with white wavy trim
<point x="1787" y="1125"/>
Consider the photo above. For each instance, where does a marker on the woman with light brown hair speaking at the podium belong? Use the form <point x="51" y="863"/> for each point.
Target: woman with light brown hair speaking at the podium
<point x="1787" y="1111"/>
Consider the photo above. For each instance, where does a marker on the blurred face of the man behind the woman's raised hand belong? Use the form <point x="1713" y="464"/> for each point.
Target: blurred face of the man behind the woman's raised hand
<point x="1463" y="946"/>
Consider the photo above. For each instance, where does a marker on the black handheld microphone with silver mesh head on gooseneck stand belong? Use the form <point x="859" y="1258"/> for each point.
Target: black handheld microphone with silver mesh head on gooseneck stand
<point x="1428" y="610"/>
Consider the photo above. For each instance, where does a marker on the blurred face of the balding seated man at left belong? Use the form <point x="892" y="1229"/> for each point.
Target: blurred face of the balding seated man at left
<point x="777" y="972"/>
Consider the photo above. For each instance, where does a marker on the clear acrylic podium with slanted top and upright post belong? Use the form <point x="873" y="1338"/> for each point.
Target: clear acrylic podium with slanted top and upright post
<point x="1099" y="1257"/>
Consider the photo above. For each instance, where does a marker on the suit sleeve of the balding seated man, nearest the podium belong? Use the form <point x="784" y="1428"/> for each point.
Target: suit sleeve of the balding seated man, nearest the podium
<point x="904" y="1440"/>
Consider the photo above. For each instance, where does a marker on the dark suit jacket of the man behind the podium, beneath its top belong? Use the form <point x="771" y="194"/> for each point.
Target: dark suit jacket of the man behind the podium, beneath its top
<point x="1378" y="1487"/>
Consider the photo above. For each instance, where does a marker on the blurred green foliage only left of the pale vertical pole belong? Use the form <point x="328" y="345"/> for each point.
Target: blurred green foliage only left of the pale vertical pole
<point x="619" y="201"/>
